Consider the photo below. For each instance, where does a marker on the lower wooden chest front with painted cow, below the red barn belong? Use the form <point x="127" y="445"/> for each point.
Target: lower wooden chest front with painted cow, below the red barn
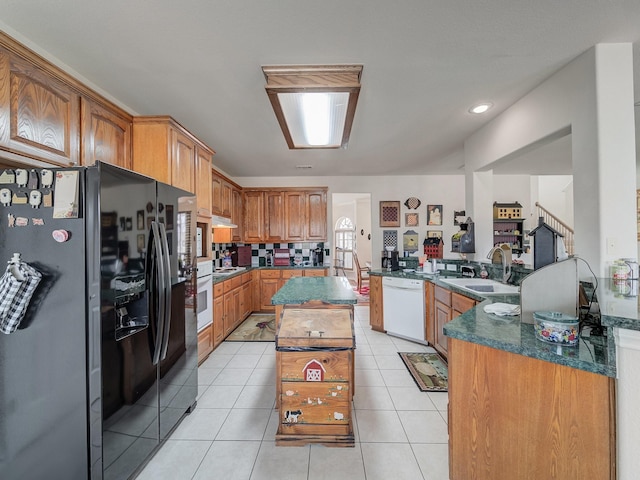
<point x="315" y="402"/>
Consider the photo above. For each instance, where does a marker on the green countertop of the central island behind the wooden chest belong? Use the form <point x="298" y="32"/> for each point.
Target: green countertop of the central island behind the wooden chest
<point x="298" y="290"/>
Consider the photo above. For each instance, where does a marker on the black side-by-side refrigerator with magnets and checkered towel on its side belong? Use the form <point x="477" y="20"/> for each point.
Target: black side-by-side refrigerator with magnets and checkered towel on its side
<point x="103" y="363"/>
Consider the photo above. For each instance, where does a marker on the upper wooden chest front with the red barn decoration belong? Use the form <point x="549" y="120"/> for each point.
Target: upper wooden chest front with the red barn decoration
<point x="335" y="366"/>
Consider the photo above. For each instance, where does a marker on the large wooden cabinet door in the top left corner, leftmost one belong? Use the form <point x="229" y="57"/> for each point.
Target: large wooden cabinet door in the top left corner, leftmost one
<point x="39" y="116"/>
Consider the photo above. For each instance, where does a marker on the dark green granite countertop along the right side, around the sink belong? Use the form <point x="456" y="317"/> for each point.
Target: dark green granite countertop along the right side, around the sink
<point x="593" y="354"/>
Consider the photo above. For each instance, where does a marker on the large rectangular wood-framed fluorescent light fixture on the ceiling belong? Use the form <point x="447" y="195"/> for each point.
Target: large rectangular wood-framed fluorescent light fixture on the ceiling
<point x="314" y="104"/>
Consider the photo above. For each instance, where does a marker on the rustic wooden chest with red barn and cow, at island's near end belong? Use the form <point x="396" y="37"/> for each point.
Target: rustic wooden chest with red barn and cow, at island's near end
<point x="315" y="346"/>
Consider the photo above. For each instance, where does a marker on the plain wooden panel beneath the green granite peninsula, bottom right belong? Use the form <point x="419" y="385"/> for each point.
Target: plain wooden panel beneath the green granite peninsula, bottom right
<point x="512" y="416"/>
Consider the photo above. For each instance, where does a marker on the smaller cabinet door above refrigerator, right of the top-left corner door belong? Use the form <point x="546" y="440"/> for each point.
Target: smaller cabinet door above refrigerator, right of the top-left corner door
<point x="106" y="135"/>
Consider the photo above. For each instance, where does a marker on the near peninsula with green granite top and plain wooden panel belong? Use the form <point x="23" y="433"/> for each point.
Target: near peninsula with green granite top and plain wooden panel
<point x="522" y="408"/>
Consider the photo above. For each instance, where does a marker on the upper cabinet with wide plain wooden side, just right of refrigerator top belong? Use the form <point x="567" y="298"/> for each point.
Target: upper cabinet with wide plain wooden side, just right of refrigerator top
<point x="166" y="151"/>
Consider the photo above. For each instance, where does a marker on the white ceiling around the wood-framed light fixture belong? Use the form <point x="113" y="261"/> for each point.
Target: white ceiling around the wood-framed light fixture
<point x="425" y="63"/>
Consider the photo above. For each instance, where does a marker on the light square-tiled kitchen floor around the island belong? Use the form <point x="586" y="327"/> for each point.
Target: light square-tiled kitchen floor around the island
<point x="401" y="433"/>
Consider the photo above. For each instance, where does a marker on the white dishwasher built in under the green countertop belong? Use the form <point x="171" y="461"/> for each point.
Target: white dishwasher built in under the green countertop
<point x="403" y="308"/>
